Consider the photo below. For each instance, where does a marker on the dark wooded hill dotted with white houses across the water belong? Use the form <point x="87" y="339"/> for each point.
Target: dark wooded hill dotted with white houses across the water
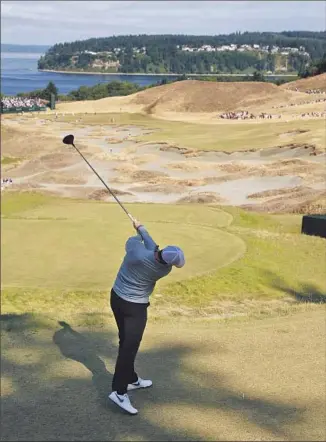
<point x="237" y="53"/>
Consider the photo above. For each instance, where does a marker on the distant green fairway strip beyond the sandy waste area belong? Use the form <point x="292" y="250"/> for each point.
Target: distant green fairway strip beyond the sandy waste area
<point x="225" y="136"/>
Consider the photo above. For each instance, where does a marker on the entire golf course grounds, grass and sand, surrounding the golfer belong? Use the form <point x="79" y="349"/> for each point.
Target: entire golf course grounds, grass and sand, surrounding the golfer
<point x="235" y="341"/>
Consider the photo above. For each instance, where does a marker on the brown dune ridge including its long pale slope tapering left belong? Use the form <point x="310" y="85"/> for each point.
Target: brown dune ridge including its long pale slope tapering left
<point x="188" y="96"/>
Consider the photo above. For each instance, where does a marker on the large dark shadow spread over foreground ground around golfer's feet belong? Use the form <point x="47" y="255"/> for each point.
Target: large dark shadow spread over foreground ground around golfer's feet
<point x="49" y="400"/>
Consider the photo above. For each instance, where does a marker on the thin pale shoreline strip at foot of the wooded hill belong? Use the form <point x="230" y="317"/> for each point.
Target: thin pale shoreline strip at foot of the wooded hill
<point x="158" y="75"/>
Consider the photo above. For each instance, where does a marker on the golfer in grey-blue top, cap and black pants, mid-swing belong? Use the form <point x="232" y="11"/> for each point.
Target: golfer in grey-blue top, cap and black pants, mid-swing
<point x="143" y="265"/>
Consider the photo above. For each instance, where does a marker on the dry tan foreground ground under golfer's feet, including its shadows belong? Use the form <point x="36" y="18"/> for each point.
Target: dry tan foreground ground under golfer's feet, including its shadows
<point x="259" y="380"/>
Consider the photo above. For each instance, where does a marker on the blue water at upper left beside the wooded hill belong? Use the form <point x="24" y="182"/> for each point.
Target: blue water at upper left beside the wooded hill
<point x="19" y="74"/>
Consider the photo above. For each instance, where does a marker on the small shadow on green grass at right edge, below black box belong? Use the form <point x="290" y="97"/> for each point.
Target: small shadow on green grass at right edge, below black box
<point x="308" y="292"/>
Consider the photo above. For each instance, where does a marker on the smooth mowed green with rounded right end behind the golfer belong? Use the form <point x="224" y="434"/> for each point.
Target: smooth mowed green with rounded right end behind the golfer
<point x="80" y="245"/>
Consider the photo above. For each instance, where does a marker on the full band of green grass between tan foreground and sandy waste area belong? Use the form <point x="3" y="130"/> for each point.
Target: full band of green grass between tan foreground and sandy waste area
<point x="63" y="255"/>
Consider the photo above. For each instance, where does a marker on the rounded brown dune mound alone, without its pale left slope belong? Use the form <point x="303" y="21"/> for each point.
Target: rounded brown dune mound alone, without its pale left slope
<point x="206" y="96"/>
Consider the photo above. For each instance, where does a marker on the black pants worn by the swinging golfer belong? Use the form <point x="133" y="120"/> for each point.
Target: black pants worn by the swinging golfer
<point x="131" y="320"/>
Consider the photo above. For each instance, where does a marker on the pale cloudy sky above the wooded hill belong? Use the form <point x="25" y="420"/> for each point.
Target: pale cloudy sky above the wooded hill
<point x="50" y="22"/>
